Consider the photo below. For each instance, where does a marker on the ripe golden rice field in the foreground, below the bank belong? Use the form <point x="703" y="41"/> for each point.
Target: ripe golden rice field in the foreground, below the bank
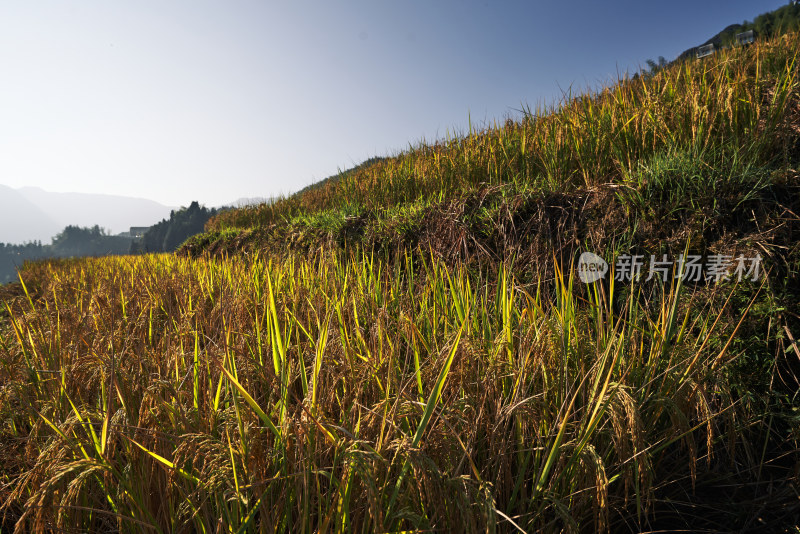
<point x="174" y="395"/>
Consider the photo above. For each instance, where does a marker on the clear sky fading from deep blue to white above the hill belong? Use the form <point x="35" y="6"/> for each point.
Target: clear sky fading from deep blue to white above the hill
<point x="176" y="100"/>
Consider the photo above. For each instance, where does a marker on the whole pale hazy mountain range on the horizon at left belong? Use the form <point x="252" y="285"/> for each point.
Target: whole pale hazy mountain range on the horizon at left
<point x="47" y="213"/>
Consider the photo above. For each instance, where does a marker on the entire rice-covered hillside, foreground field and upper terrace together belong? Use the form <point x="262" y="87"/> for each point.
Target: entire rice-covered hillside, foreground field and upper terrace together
<point x="401" y="373"/>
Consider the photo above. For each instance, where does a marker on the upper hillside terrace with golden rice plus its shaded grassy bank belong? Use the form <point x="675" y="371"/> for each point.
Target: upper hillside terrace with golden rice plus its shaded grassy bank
<point x="708" y="145"/>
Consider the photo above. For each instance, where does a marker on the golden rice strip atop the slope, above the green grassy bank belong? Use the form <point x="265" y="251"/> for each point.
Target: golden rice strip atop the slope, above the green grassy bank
<point x="731" y="107"/>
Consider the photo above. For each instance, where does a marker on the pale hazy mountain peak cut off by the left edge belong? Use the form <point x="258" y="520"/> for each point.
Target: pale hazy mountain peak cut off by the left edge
<point x="22" y="220"/>
